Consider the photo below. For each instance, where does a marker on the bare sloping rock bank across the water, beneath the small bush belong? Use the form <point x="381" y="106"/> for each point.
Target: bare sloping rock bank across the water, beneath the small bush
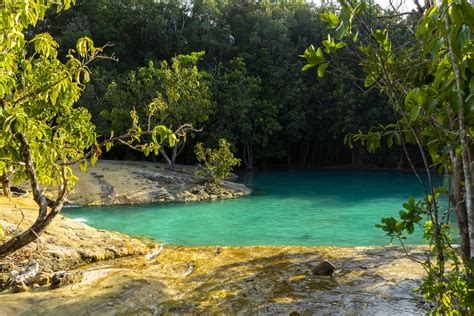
<point x="129" y="182"/>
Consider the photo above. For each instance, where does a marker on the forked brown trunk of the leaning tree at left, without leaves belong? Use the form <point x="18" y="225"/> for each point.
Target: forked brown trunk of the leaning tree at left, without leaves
<point x="44" y="218"/>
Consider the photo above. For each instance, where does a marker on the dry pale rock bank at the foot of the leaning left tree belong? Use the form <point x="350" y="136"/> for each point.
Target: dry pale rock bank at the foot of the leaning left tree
<point x="63" y="246"/>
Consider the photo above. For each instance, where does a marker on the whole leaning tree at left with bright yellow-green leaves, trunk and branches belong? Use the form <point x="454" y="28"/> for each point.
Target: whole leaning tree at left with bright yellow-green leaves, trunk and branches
<point x="43" y="132"/>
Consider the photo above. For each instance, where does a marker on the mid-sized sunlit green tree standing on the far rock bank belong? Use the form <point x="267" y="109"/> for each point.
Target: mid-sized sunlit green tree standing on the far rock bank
<point x="178" y="94"/>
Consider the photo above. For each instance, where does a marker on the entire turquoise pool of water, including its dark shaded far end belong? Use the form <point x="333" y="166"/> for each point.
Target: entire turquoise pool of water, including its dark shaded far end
<point x="332" y="208"/>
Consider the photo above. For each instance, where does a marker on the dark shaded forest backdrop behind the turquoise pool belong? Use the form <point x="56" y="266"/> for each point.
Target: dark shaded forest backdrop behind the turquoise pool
<point x="260" y="101"/>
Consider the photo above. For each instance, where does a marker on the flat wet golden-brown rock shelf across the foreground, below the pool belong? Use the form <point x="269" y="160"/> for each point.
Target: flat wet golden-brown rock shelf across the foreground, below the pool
<point x="264" y="280"/>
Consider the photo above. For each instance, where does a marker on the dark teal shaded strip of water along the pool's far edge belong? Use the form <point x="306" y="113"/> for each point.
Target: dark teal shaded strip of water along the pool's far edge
<point x="360" y="185"/>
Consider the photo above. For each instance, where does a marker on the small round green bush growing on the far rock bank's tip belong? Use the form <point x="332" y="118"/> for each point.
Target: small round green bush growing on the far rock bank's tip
<point x="216" y="164"/>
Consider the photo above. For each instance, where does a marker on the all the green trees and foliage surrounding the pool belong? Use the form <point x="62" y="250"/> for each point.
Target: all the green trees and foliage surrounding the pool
<point x="208" y="72"/>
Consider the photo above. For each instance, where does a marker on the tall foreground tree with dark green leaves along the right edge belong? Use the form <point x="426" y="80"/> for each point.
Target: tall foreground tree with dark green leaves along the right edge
<point x="429" y="81"/>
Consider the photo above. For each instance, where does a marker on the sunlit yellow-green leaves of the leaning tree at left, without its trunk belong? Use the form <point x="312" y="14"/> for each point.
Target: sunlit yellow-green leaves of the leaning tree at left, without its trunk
<point x="38" y="92"/>
